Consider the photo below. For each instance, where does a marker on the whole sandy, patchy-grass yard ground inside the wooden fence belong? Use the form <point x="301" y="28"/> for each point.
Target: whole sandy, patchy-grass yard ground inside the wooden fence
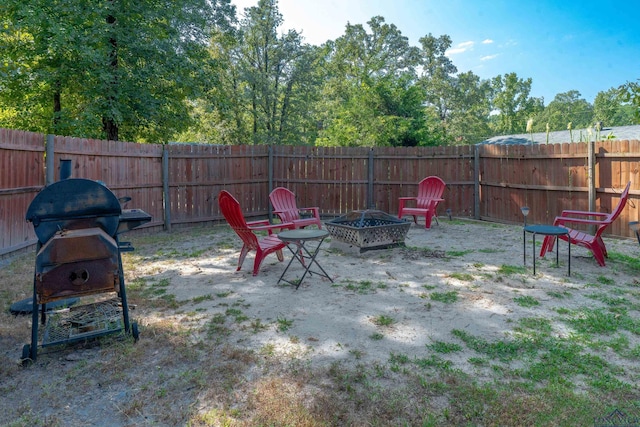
<point x="452" y="313"/>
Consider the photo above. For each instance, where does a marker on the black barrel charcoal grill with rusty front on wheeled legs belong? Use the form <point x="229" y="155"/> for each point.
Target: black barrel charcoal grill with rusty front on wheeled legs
<point x="78" y="254"/>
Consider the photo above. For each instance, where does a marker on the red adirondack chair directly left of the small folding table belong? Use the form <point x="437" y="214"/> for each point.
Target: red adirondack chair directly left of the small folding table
<point x="230" y="208"/>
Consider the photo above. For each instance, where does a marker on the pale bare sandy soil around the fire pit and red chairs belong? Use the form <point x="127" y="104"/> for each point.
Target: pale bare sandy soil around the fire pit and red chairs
<point x="460" y="275"/>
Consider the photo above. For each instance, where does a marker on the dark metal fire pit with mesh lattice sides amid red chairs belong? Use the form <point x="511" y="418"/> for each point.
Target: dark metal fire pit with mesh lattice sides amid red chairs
<point x="368" y="229"/>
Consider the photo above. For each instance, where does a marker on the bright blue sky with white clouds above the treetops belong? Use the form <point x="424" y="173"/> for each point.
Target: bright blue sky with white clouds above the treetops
<point x="588" y="46"/>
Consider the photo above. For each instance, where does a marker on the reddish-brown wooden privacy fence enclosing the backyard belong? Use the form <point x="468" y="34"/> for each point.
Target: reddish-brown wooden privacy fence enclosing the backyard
<point x="178" y="183"/>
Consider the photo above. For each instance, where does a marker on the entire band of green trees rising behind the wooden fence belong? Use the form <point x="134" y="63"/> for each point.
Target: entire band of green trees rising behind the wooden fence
<point x="199" y="71"/>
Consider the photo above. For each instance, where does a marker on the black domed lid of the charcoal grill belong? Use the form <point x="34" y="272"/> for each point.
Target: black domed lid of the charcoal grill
<point x="71" y="204"/>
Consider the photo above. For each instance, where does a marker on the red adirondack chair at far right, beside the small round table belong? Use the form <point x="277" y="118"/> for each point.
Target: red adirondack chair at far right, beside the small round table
<point x="580" y="237"/>
